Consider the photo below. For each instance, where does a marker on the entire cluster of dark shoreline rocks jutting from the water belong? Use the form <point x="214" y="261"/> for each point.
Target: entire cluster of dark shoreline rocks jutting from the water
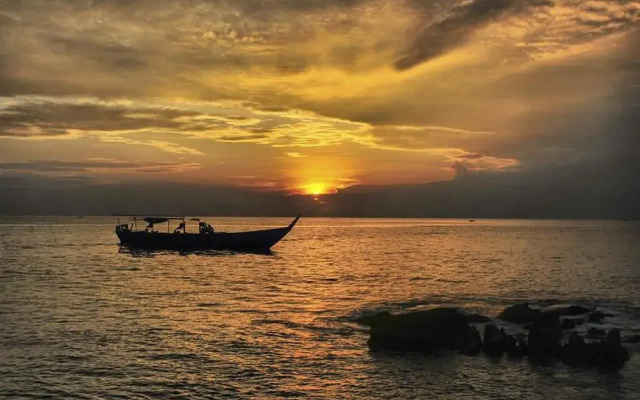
<point x="448" y="328"/>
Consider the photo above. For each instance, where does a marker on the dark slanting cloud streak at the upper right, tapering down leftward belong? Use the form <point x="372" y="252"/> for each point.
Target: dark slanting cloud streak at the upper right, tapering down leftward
<point x="457" y="26"/>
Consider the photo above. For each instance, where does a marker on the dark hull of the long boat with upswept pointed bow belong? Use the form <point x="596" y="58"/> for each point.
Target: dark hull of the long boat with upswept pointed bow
<point x="261" y="240"/>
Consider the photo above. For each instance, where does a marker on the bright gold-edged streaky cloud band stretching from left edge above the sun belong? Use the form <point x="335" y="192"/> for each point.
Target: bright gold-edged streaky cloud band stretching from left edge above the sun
<point x="140" y="122"/>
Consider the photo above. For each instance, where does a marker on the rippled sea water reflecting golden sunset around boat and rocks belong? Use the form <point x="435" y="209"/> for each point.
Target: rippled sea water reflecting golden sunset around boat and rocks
<point x="81" y="317"/>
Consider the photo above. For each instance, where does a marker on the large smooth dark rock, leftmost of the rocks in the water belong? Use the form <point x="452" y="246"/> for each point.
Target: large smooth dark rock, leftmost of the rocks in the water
<point x="419" y="331"/>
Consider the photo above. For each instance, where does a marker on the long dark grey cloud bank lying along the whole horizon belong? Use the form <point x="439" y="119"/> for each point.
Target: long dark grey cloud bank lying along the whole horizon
<point x="546" y="193"/>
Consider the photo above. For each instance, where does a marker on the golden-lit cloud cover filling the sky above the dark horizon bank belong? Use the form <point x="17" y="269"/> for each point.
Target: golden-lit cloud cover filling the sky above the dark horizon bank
<point x="394" y="90"/>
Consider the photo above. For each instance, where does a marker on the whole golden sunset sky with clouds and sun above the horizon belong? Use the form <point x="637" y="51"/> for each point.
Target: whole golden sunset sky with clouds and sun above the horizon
<point x="412" y="107"/>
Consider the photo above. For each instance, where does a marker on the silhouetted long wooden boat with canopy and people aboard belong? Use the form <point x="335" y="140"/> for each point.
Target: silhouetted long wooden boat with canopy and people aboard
<point x="205" y="239"/>
